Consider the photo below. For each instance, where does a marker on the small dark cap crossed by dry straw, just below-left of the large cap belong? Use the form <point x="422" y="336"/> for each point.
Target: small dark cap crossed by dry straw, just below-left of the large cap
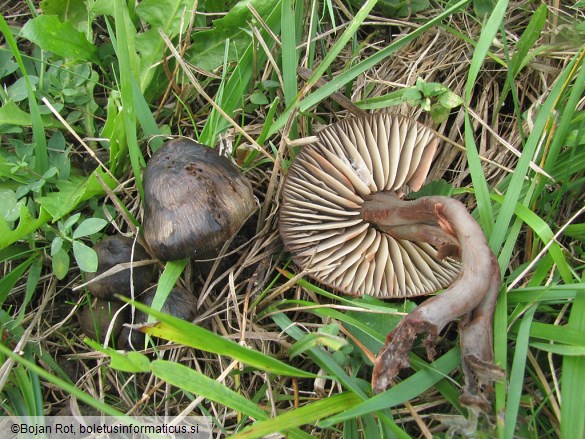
<point x="114" y="250"/>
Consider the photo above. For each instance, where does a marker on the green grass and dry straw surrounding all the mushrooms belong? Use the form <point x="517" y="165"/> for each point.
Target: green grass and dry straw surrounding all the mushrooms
<point x="271" y="351"/>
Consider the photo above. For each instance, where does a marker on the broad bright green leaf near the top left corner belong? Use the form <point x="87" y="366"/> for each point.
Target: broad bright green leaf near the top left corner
<point x="61" y="38"/>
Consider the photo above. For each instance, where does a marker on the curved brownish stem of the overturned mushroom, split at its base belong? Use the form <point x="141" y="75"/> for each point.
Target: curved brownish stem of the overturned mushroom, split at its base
<point x="446" y="224"/>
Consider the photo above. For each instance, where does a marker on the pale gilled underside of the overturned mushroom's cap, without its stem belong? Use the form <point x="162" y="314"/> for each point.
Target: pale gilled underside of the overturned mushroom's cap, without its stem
<point x="320" y="221"/>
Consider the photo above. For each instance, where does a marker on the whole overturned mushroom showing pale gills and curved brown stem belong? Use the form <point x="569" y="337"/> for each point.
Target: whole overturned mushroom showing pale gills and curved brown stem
<point x="346" y="222"/>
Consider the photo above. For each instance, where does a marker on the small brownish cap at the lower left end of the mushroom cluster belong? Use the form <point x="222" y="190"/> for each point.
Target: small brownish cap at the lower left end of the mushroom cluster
<point x="96" y="318"/>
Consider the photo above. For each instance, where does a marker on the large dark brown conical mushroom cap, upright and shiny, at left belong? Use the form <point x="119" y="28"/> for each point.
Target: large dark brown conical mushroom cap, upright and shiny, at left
<point x="194" y="201"/>
